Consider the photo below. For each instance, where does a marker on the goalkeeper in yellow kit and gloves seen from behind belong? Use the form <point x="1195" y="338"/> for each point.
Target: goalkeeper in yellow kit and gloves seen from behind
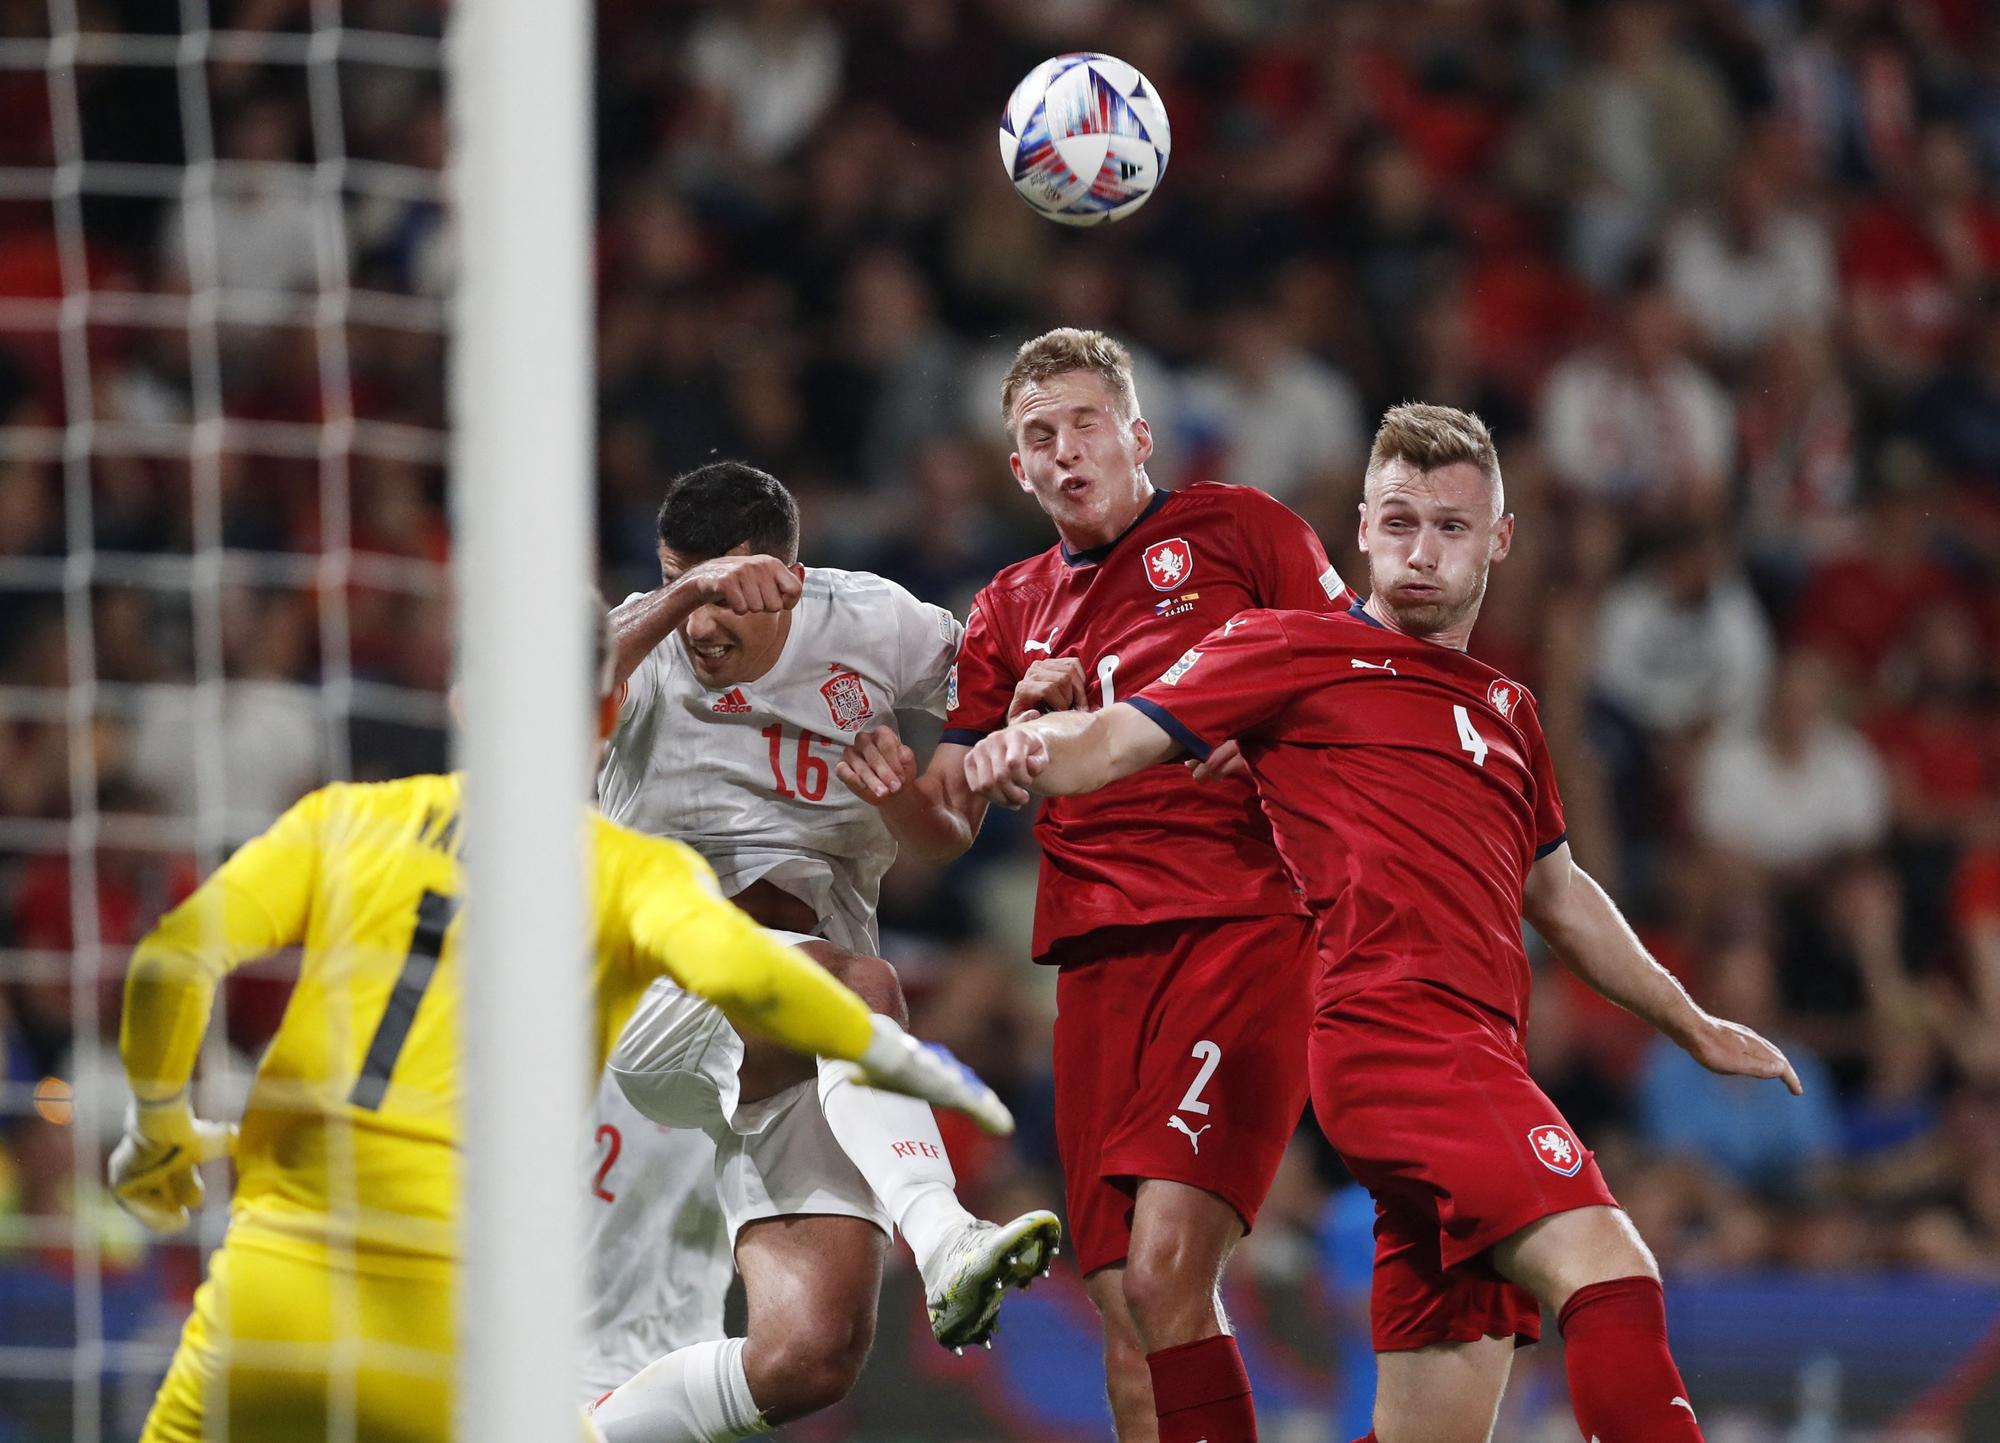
<point x="329" y="1312"/>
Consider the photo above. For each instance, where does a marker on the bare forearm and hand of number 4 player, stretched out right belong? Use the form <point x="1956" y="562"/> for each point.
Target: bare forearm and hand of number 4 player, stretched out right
<point x="1591" y="938"/>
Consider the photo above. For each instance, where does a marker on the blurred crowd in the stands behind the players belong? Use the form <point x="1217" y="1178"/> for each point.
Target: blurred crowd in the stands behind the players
<point x="1721" y="275"/>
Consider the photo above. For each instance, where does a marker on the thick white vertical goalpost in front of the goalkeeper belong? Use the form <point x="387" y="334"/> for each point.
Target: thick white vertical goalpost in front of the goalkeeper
<point x="523" y="507"/>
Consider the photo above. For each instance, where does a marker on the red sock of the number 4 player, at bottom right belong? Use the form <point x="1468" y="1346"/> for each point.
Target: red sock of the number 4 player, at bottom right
<point x="1623" y="1382"/>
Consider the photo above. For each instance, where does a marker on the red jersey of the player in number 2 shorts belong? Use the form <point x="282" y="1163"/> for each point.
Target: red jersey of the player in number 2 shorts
<point x="1155" y="846"/>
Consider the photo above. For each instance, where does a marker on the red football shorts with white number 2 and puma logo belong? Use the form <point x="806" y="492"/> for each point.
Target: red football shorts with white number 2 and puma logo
<point x="1181" y="1054"/>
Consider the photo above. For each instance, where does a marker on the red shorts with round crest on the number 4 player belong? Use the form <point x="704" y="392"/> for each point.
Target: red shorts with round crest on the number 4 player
<point x="1429" y="1102"/>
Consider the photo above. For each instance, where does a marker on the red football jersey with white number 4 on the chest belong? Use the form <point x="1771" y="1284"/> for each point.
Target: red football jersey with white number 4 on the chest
<point x="1409" y="788"/>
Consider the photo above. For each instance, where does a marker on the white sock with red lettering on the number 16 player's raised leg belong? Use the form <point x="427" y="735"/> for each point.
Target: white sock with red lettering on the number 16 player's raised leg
<point x="897" y="1146"/>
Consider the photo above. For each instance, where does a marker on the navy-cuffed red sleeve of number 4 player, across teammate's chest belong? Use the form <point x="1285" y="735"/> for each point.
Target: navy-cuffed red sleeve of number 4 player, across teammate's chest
<point x="1233" y="681"/>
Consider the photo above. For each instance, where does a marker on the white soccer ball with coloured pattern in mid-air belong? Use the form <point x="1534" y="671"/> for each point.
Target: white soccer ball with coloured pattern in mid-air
<point x="1085" y="139"/>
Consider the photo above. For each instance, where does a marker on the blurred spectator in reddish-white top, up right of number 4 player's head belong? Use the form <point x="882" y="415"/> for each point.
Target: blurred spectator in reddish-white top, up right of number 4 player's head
<point x="1635" y="421"/>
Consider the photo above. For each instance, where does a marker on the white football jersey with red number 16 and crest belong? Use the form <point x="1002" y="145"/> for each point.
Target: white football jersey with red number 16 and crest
<point x="747" y="774"/>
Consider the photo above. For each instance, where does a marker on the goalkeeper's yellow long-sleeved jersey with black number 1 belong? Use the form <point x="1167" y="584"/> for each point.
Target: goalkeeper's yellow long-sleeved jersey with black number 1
<point x="349" y="1136"/>
